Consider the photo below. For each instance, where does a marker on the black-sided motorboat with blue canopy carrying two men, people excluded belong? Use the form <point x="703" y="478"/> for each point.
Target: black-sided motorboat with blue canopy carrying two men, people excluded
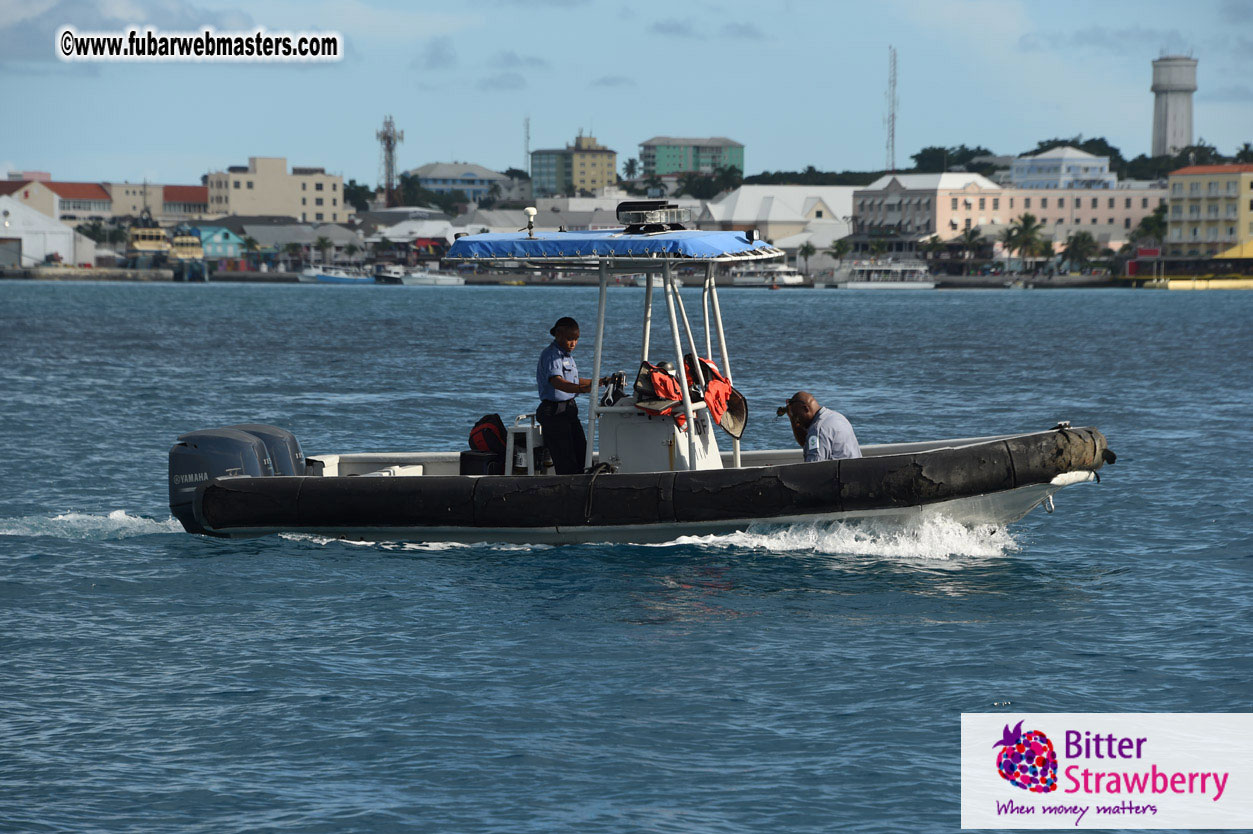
<point x="653" y="470"/>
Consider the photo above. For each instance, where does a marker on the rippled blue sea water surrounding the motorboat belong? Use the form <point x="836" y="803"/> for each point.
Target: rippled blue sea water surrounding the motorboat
<point x="799" y="679"/>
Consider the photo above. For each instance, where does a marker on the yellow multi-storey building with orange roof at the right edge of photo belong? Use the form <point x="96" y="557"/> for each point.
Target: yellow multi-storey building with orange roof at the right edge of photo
<point x="1211" y="210"/>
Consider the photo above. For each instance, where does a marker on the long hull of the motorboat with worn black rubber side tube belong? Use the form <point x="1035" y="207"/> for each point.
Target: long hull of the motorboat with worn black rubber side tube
<point x="997" y="481"/>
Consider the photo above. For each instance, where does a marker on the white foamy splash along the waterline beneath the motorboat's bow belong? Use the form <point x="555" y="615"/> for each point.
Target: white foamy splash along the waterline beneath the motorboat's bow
<point x="937" y="538"/>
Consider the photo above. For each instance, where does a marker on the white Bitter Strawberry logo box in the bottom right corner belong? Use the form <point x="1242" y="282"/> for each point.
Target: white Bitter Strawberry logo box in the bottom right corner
<point x="1145" y="771"/>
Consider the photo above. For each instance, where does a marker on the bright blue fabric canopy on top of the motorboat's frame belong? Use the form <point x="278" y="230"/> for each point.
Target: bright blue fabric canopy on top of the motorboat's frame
<point x="610" y="244"/>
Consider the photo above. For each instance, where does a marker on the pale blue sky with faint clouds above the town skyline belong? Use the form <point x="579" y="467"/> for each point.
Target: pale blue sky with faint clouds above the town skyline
<point x="799" y="82"/>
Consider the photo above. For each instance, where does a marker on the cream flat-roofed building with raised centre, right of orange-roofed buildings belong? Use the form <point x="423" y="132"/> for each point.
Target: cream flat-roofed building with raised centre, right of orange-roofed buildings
<point x="264" y="187"/>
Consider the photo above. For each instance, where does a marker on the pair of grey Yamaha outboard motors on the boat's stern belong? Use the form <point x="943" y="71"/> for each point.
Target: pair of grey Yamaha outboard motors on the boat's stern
<point x="251" y="449"/>
